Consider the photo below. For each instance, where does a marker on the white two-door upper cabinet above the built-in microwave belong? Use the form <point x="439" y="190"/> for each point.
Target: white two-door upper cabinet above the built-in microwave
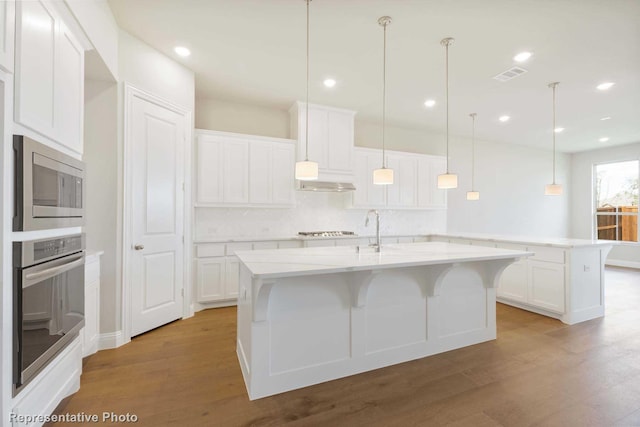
<point x="49" y="83"/>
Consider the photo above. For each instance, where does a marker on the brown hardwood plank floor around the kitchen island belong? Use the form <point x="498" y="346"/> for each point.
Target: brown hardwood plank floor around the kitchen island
<point x="538" y="372"/>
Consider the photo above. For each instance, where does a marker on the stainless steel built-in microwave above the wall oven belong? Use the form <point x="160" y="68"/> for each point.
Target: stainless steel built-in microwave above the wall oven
<point x="49" y="187"/>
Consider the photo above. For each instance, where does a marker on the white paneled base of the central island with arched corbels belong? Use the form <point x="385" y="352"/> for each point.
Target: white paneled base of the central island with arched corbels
<point x="321" y="327"/>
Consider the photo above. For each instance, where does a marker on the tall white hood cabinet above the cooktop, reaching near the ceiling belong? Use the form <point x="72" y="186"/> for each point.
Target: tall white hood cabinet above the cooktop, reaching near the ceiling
<point x="330" y="139"/>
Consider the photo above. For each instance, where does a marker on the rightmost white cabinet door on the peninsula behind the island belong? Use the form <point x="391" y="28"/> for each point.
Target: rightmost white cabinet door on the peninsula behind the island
<point x="546" y="285"/>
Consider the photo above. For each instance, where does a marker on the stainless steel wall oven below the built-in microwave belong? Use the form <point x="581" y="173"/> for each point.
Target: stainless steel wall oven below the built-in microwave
<point x="48" y="301"/>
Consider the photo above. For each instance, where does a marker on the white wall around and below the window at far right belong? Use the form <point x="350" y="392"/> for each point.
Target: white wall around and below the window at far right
<point x="582" y="204"/>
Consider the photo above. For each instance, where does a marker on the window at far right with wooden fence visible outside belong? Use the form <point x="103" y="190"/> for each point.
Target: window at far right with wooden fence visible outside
<point x="616" y="191"/>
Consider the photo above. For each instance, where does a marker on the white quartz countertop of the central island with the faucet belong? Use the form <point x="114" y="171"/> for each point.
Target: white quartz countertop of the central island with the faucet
<point x="275" y="263"/>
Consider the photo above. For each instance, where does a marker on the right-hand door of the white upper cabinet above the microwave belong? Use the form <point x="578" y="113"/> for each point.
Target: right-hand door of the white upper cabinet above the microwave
<point x="69" y="90"/>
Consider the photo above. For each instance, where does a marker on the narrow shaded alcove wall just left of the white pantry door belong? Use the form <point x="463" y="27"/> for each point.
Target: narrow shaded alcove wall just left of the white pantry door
<point x="100" y="156"/>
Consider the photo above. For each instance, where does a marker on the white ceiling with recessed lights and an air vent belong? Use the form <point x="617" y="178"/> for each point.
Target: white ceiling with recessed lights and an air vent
<point x="253" y="52"/>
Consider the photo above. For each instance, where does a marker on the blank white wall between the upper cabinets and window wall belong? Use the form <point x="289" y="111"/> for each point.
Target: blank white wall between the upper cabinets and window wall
<point x="511" y="180"/>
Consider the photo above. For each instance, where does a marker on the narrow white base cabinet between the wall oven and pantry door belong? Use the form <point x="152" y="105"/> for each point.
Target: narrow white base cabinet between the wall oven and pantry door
<point x="91" y="331"/>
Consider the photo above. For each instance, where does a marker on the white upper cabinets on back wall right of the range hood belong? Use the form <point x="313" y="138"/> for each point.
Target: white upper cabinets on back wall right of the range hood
<point x="414" y="184"/>
